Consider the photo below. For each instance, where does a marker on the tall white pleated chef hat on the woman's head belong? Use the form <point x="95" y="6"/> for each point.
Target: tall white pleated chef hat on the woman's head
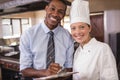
<point x="80" y="12"/>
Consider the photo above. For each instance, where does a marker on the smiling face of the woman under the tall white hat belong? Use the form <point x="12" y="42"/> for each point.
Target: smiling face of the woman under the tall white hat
<point x="81" y="32"/>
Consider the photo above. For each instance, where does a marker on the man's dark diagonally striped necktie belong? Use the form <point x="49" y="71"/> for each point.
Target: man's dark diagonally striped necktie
<point x="50" y="50"/>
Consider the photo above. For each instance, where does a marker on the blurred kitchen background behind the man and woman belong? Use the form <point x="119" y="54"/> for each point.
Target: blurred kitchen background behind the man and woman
<point x="18" y="15"/>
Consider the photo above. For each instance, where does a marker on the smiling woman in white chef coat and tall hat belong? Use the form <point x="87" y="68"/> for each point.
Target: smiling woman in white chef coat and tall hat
<point x="93" y="59"/>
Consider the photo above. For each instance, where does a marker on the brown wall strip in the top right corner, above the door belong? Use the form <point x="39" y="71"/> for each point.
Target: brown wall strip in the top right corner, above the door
<point x="102" y="5"/>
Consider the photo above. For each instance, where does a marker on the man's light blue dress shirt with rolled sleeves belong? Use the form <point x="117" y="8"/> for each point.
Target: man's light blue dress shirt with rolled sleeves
<point x="33" y="47"/>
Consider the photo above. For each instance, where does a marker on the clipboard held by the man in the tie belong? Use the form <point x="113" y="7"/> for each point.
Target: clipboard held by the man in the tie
<point x="64" y="74"/>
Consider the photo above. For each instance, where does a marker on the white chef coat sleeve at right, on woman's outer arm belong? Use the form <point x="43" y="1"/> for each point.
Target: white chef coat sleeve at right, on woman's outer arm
<point x="107" y="64"/>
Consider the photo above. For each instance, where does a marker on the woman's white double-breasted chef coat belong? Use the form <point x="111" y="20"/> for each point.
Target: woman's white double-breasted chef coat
<point x="95" y="61"/>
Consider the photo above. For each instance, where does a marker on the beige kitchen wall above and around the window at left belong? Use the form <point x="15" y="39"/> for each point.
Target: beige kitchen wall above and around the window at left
<point x="34" y="18"/>
